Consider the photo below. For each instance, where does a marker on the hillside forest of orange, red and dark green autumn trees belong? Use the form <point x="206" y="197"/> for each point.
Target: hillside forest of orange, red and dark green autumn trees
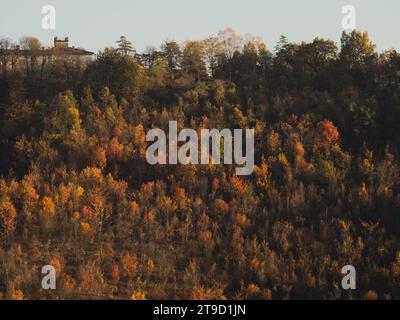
<point x="76" y="190"/>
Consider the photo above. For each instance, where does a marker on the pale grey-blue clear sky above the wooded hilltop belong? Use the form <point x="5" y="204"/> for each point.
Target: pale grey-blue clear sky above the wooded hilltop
<point x="95" y="24"/>
